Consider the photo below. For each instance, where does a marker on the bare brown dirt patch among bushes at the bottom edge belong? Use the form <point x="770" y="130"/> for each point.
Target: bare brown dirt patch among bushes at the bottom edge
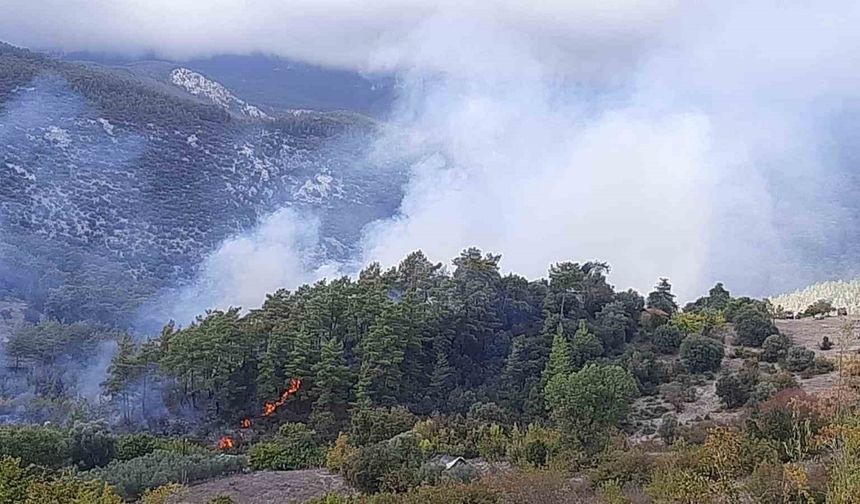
<point x="267" y="487"/>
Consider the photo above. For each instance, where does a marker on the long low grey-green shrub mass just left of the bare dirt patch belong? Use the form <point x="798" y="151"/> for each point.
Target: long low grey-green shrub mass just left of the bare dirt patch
<point x="131" y="478"/>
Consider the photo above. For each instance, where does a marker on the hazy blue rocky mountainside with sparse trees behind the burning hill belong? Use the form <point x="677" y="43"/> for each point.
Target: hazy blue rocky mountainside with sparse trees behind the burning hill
<point x="114" y="186"/>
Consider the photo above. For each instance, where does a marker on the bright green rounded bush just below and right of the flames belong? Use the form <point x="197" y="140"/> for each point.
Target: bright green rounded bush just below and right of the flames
<point x="293" y="448"/>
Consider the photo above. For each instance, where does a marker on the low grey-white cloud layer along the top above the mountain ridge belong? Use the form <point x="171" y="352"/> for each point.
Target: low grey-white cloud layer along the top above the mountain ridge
<point x="370" y="35"/>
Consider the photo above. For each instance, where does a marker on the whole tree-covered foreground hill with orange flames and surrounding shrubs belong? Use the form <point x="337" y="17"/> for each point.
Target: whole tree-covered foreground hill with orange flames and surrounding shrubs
<point x="424" y="383"/>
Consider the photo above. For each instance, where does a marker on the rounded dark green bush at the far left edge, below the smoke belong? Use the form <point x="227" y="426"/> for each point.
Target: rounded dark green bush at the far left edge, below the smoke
<point x="42" y="446"/>
